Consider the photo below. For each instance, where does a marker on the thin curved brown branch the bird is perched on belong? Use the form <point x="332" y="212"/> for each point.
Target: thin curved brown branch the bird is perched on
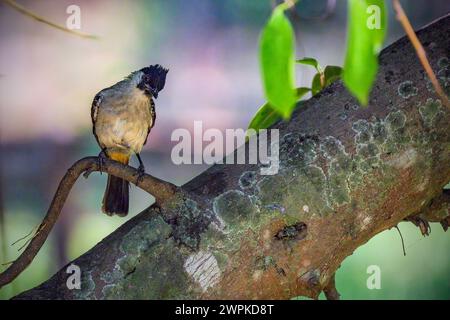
<point x="161" y="190"/>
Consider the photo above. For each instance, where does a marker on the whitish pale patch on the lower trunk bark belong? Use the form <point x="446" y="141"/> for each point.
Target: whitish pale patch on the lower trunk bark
<point x="203" y="267"/>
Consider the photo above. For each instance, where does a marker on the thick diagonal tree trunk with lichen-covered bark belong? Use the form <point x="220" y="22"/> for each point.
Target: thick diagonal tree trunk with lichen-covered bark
<point x="346" y="174"/>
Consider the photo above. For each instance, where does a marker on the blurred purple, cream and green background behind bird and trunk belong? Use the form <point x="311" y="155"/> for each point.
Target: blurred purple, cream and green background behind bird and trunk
<point x="48" y="79"/>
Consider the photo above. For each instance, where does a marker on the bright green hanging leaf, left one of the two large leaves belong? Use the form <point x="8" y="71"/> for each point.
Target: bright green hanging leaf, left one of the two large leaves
<point x="277" y="59"/>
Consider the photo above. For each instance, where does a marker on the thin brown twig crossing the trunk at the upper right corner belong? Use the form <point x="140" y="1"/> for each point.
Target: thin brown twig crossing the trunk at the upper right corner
<point x="421" y="54"/>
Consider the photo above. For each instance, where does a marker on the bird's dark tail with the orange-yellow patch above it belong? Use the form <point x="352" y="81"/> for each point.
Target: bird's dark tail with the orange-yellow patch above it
<point x="115" y="200"/>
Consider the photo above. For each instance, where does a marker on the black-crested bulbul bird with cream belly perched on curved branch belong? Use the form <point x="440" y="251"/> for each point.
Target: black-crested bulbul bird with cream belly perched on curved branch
<point x="122" y="117"/>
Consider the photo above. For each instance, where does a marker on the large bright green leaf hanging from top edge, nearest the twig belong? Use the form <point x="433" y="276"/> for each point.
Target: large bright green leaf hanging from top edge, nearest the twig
<point x="365" y="35"/>
